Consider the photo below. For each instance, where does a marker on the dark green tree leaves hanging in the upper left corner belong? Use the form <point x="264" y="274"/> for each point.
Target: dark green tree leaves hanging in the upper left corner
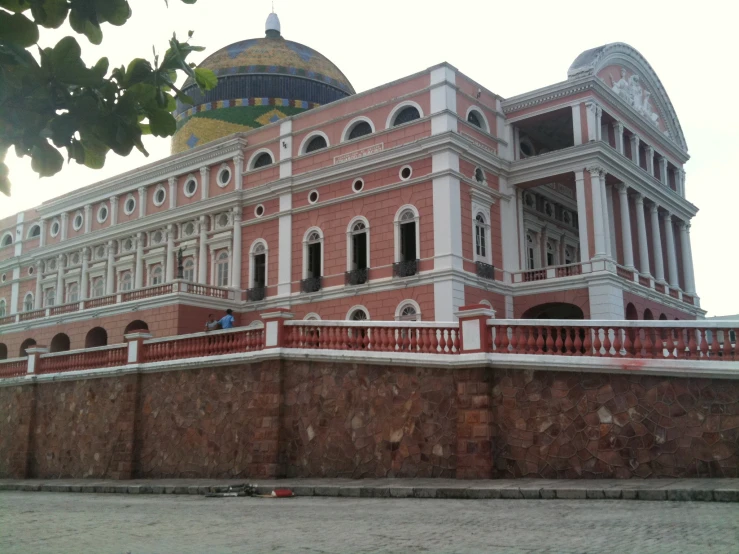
<point x="54" y="101"/>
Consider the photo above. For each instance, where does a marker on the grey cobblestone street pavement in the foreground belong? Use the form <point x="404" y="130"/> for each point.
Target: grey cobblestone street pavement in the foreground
<point x="138" y="524"/>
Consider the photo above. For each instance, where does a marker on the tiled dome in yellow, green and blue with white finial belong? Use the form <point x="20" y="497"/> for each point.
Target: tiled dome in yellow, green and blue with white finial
<point x="260" y="81"/>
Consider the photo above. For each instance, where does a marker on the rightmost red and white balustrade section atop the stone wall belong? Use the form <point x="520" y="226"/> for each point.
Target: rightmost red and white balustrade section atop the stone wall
<point x="616" y="341"/>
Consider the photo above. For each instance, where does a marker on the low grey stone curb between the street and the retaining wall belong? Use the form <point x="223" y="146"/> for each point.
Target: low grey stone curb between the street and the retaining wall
<point x="675" y="494"/>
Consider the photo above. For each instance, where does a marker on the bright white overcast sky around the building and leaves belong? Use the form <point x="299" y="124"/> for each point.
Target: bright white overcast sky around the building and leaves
<point x="509" y="47"/>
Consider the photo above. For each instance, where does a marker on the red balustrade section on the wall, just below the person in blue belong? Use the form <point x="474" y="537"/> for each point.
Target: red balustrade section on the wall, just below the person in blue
<point x="204" y="344"/>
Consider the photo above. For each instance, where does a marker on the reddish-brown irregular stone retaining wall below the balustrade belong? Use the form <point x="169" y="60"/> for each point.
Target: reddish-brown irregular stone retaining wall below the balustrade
<point x="311" y="419"/>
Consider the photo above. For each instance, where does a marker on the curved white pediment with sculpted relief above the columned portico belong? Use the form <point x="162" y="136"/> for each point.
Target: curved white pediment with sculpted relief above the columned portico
<point x="625" y="71"/>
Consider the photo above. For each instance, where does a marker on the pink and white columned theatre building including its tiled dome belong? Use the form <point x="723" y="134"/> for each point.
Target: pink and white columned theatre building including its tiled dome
<point x="406" y="201"/>
